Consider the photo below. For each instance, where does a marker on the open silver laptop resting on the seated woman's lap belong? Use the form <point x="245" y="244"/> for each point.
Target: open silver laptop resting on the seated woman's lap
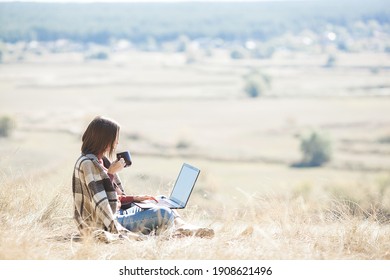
<point x="181" y="191"/>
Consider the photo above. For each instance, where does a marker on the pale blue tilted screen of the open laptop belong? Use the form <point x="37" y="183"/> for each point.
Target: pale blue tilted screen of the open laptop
<point x="184" y="184"/>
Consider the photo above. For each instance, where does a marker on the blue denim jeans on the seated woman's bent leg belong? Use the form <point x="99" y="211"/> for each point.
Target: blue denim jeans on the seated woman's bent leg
<point x="137" y="219"/>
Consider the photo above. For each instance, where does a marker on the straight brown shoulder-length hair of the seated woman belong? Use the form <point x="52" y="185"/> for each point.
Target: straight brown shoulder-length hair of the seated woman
<point x="100" y="134"/>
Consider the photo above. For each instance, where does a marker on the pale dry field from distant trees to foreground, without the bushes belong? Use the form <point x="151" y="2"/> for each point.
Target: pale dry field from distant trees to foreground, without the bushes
<point x="171" y="111"/>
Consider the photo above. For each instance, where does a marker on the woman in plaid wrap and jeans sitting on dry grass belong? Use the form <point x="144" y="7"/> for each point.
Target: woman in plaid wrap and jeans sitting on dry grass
<point x="98" y="192"/>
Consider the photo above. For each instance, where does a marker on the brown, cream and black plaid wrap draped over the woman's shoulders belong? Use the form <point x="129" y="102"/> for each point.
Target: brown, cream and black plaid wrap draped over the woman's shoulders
<point x="95" y="198"/>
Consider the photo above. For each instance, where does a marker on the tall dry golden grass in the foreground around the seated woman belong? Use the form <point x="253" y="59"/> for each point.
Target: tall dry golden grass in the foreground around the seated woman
<point x="38" y="225"/>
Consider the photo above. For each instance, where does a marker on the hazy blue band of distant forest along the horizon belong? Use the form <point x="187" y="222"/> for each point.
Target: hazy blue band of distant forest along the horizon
<point x="139" y="22"/>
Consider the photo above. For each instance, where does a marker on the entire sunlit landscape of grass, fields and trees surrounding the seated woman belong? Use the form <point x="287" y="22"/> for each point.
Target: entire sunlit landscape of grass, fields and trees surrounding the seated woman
<point x="283" y="105"/>
